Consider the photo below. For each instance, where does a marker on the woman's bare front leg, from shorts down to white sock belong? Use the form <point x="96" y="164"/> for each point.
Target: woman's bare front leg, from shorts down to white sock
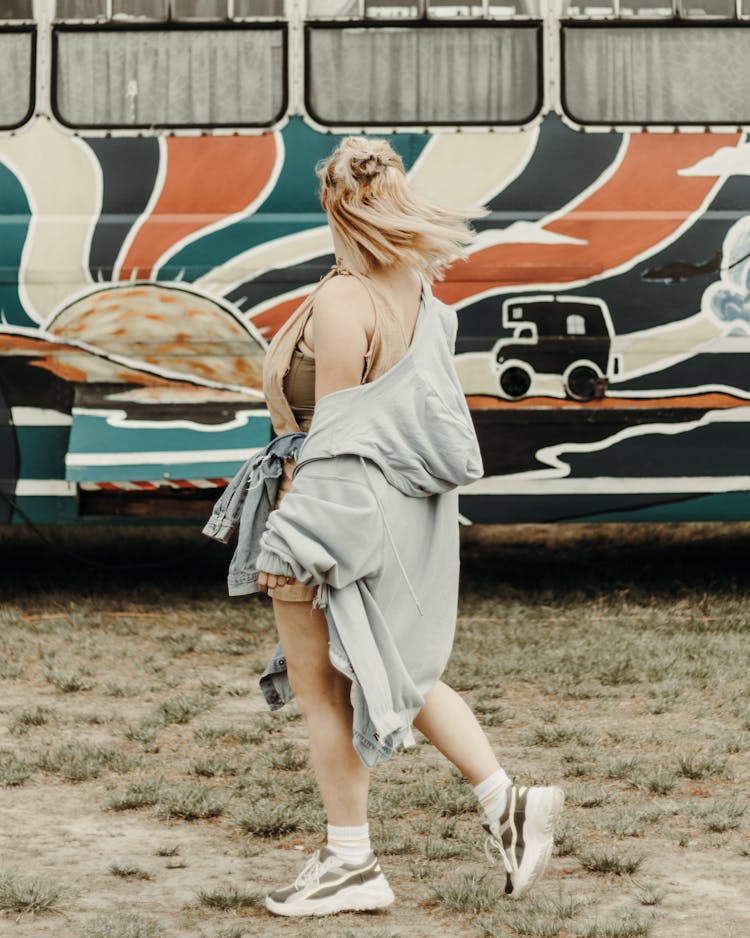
<point x="323" y="696"/>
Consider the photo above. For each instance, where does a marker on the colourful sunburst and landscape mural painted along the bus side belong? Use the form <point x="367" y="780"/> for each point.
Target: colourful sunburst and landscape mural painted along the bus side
<point x="604" y="314"/>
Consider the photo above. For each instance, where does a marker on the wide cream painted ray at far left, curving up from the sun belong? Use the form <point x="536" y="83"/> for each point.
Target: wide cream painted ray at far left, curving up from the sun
<point x="65" y="205"/>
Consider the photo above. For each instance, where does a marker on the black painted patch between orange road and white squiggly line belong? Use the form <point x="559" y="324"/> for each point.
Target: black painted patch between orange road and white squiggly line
<point x="510" y="438"/>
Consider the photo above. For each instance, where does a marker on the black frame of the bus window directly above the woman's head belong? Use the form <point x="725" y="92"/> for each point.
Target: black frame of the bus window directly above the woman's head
<point x="339" y="25"/>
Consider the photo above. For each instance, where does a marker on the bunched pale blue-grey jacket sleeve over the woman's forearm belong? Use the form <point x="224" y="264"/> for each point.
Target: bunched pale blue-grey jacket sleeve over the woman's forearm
<point x="328" y="528"/>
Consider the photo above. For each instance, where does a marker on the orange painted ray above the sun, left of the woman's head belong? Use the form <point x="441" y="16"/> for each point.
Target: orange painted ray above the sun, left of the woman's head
<point x="207" y="178"/>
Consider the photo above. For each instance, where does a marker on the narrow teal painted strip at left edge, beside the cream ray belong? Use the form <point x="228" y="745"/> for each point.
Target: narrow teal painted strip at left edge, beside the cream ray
<point x="14" y="226"/>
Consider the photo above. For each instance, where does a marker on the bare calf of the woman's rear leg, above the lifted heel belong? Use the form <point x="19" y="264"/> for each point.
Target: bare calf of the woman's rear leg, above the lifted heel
<point x="450" y="725"/>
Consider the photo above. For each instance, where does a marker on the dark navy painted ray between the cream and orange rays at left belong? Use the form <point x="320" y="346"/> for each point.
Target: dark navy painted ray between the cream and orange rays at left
<point x="129" y="170"/>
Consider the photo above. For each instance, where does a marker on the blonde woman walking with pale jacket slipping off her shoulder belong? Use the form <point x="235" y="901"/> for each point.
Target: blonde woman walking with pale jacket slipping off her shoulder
<point x="361" y="555"/>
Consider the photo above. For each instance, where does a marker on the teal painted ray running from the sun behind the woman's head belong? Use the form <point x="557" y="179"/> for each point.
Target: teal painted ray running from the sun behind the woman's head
<point x="296" y="185"/>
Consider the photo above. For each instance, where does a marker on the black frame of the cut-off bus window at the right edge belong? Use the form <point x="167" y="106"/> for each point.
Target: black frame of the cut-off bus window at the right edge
<point x="618" y="24"/>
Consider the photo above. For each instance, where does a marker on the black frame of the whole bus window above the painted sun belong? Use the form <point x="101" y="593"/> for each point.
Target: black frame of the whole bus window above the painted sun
<point x="279" y="118"/>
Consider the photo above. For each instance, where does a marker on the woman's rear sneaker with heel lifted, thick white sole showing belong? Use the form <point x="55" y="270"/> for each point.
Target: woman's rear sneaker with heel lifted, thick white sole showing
<point x="524" y="834"/>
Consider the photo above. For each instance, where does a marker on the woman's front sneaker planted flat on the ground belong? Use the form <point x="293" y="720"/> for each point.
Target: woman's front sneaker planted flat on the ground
<point x="328" y="885"/>
